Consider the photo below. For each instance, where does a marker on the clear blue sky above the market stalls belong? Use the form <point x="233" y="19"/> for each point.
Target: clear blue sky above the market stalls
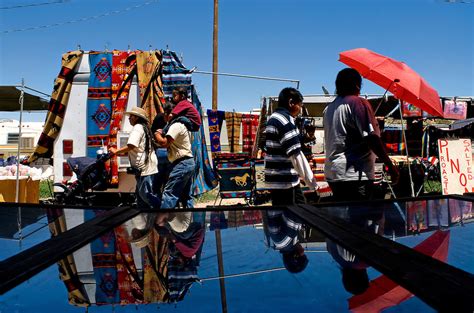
<point x="297" y="39"/>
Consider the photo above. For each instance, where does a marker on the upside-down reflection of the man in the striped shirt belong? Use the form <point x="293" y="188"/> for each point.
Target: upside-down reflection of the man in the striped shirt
<point x="283" y="228"/>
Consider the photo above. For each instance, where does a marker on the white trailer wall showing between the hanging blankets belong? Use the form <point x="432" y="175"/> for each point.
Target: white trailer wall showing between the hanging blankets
<point x="72" y="139"/>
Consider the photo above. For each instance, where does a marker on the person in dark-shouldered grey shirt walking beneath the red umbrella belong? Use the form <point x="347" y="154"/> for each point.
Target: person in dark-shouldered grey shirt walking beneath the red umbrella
<point x="352" y="141"/>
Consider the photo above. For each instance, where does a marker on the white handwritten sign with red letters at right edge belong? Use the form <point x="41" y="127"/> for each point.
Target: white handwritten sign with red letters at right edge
<point x="455" y="158"/>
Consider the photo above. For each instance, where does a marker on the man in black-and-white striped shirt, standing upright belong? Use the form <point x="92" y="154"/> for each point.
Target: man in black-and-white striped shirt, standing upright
<point x="284" y="160"/>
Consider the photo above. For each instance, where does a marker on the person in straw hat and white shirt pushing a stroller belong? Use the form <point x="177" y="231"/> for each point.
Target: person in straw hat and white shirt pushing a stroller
<point x="143" y="160"/>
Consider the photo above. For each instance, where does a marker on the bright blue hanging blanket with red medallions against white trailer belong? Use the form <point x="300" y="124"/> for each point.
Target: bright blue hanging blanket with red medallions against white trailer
<point x="98" y="101"/>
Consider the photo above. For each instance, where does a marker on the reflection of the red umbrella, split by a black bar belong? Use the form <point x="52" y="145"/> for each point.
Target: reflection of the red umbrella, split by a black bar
<point x="384" y="293"/>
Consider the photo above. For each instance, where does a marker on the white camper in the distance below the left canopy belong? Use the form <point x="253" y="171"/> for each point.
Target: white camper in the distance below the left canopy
<point x="10" y="137"/>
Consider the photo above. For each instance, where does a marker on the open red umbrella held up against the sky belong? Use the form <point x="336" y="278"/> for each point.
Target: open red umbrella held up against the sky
<point x="395" y="76"/>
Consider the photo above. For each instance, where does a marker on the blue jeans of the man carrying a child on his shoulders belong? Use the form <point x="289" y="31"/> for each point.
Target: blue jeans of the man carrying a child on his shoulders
<point x="178" y="186"/>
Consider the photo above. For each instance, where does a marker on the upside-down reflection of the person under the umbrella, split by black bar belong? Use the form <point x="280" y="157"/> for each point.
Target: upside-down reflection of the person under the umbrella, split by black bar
<point x="353" y="269"/>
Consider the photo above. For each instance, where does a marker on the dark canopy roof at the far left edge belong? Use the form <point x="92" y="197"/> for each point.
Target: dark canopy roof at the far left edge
<point x="10" y="99"/>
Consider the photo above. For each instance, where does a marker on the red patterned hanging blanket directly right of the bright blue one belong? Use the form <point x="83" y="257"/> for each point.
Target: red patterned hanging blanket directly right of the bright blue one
<point x="123" y="64"/>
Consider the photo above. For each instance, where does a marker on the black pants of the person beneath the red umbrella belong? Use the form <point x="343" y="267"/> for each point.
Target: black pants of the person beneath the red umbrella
<point x="352" y="190"/>
